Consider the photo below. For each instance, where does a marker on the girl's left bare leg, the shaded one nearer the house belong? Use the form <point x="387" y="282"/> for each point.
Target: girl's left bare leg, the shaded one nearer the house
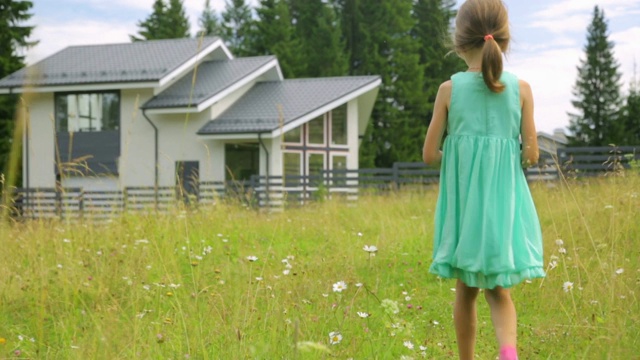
<point x="464" y="316"/>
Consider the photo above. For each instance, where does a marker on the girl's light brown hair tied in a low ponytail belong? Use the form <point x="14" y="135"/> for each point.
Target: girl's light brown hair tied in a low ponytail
<point x="475" y="20"/>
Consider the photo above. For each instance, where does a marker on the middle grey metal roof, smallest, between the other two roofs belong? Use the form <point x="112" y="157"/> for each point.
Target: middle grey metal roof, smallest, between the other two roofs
<point x="212" y="77"/>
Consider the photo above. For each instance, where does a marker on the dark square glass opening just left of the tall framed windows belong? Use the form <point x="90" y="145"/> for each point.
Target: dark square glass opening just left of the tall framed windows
<point x="241" y="162"/>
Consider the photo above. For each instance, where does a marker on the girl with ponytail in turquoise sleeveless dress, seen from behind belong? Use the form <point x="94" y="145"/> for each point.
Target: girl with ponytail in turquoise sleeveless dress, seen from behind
<point x="487" y="233"/>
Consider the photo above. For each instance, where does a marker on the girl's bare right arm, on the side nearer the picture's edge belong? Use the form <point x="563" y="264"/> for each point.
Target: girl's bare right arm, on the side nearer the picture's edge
<point x="528" y="127"/>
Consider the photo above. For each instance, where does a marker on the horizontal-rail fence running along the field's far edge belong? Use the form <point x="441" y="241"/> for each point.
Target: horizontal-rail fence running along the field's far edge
<point x="276" y="192"/>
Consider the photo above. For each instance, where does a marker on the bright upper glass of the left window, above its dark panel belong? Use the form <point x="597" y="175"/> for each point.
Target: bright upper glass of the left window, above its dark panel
<point x="87" y="112"/>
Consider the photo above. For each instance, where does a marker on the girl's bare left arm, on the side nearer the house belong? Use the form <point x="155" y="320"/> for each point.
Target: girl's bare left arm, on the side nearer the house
<point x="431" y="153"/>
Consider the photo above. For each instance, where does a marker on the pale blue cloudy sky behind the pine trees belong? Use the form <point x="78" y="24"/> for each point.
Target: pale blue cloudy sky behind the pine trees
<point x="548" y="39"/>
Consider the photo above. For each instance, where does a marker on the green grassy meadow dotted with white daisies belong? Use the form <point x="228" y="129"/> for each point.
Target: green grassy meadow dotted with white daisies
<point x="182" y="285"/>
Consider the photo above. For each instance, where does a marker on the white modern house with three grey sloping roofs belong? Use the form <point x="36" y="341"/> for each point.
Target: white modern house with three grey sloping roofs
<point x="170" y="112"/>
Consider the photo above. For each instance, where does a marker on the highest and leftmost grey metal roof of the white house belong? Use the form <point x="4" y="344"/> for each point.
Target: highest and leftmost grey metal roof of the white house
<point x="128" y="62"/>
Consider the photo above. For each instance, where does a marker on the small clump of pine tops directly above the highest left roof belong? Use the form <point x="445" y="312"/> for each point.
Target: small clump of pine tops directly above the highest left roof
<point x="167" y="21"/>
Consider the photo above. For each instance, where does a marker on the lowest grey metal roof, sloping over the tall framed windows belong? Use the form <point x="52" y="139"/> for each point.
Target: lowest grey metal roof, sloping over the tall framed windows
<point x="257" y="111"/>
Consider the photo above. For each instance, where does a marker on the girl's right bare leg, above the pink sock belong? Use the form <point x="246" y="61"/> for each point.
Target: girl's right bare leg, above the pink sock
<point x="503" y="316"/>
